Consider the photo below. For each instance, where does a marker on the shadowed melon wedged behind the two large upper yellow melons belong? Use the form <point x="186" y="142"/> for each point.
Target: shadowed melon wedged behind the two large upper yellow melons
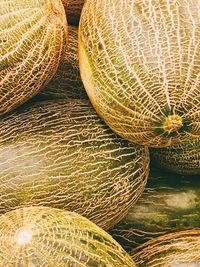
<point x="67" y="82"/>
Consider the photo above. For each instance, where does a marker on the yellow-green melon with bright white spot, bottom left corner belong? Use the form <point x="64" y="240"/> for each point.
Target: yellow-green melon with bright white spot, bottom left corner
<point x="47" y="237"/>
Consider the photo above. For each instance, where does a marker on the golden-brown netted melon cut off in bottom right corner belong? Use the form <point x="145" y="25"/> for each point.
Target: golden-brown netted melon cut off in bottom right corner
<point x="176" y="249"/>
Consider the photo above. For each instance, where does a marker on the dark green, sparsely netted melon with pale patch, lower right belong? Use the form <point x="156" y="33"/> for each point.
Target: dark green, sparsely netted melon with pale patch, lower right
<point x="169" y="203"/>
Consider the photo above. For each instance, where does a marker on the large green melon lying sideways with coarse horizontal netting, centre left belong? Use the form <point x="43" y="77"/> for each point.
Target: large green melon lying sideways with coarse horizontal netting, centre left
<point x="61" y="154"/>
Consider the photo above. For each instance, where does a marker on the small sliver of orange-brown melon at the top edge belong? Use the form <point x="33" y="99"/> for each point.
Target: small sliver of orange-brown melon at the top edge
<point x="73" y="10"/>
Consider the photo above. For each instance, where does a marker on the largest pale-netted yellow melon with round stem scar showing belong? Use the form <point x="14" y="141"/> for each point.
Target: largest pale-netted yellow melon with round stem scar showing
<point x="140" y="63"/>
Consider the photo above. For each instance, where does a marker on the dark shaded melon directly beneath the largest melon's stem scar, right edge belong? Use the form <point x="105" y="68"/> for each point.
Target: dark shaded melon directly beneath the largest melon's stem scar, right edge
<point x="183" y="159"/>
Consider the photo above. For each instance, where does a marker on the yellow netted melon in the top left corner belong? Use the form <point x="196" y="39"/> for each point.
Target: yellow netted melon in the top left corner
<point x="33" y="39"/>
